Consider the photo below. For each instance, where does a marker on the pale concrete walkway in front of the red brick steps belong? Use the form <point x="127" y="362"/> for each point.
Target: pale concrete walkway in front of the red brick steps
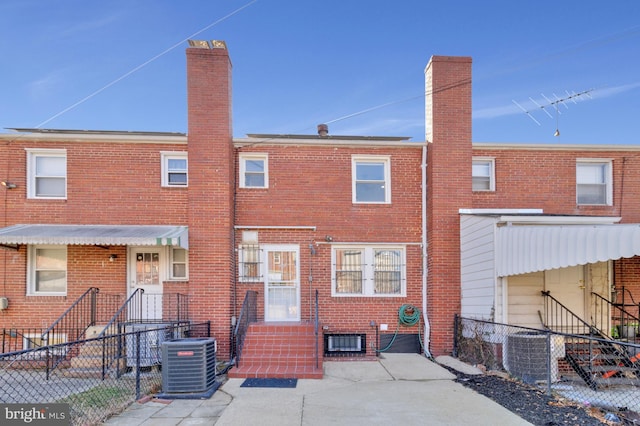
<point x="395" y="389"/>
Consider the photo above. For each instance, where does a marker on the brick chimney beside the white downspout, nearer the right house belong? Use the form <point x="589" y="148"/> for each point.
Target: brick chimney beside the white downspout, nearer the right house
<point x="449" y="154"/>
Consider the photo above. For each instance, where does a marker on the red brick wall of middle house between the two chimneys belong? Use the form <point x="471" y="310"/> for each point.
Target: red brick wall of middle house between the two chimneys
<point x="310" y="186"/>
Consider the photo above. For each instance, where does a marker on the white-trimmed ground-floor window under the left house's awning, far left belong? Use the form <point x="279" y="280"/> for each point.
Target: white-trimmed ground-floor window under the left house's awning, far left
<point x="47" y="270"/>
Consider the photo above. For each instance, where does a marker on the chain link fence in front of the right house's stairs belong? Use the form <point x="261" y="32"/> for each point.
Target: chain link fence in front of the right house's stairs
<point x="586" y="369"/>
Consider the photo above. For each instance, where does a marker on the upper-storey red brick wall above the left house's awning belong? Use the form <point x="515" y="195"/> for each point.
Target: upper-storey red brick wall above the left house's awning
<point x="107" y="183"/>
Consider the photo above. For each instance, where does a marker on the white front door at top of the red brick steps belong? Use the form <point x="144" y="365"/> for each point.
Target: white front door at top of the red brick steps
<point x="282" y="284"/>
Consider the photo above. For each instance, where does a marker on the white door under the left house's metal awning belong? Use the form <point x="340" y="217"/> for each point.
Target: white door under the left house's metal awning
<point x="146" y="273"/>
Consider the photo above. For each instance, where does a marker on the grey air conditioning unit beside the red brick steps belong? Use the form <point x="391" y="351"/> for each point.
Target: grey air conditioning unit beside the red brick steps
<point x="188" y="367"/>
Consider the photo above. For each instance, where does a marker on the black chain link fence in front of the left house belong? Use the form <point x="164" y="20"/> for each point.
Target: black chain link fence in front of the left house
<point x="94" y="383"/>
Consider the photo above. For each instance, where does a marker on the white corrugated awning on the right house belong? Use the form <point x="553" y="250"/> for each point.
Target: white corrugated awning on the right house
<point x="531" y="248"/>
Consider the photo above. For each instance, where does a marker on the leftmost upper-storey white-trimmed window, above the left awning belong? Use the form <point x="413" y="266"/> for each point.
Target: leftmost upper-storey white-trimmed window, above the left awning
<point x="47" y="173"/>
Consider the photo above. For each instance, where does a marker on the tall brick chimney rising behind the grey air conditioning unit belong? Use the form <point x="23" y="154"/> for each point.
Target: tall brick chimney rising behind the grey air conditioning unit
<point x="211" y="186"/>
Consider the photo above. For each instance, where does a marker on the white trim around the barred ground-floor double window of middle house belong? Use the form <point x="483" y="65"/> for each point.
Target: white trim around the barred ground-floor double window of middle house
<point x="368" y="272"/>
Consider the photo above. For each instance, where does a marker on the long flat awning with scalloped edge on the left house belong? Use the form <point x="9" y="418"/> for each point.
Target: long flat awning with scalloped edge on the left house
<point x="99" y="235"/>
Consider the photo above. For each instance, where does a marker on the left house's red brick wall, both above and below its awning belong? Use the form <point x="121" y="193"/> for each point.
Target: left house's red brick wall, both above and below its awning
<point x="108" y="183"/>
